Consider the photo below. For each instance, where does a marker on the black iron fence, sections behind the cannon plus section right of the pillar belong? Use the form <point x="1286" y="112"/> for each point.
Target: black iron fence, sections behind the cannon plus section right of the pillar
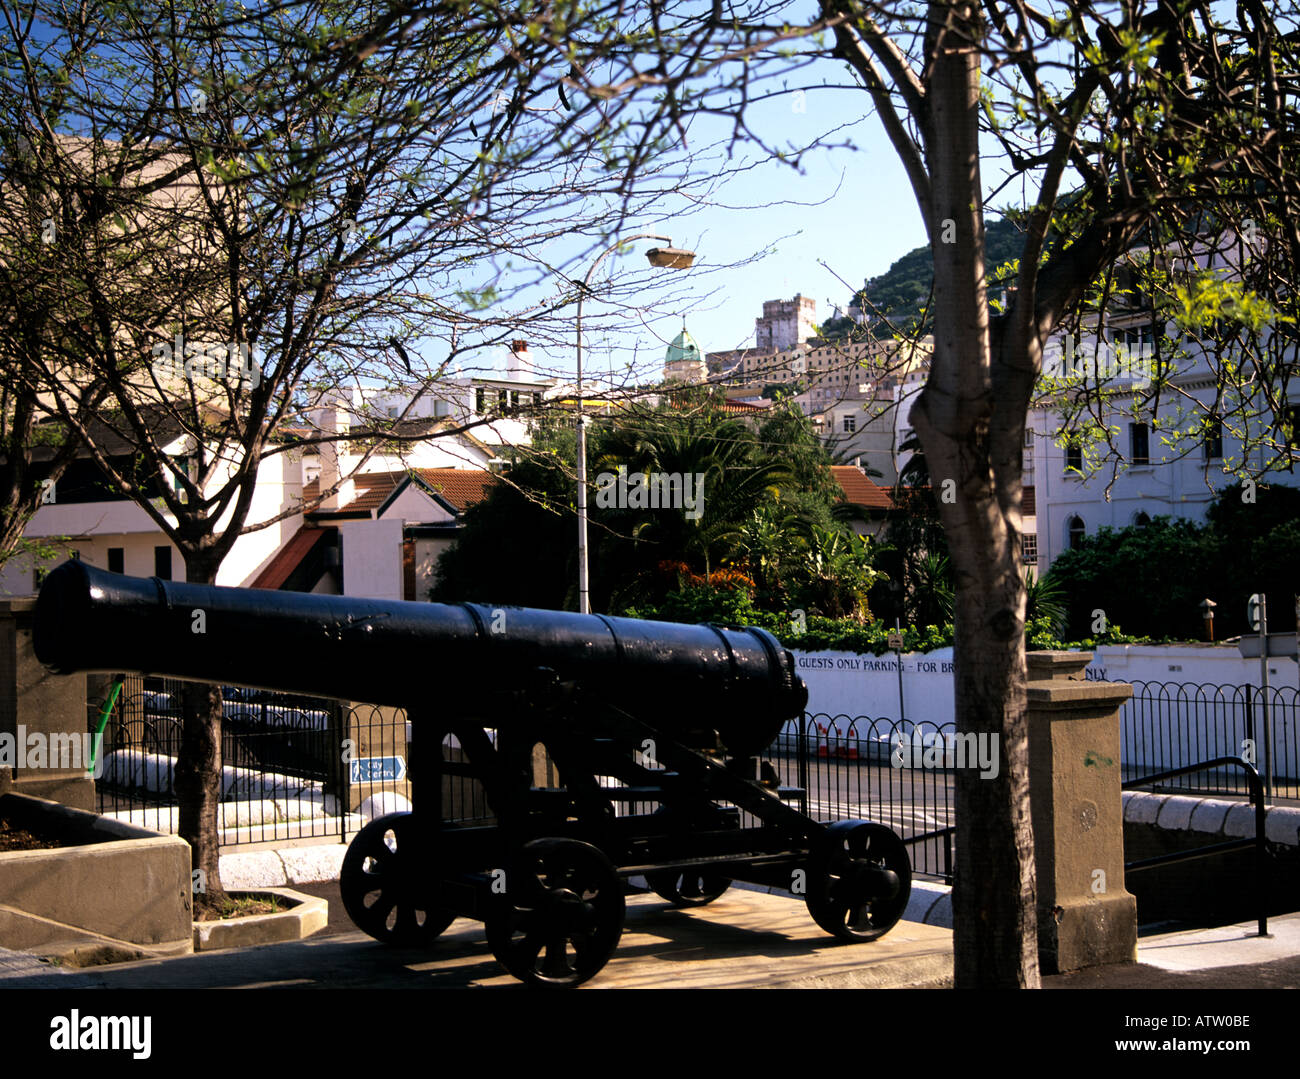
<point x="306" y="768"/>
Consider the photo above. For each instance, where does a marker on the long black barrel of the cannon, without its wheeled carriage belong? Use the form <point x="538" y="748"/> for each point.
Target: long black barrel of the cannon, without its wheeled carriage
<point x="463" y="660"/>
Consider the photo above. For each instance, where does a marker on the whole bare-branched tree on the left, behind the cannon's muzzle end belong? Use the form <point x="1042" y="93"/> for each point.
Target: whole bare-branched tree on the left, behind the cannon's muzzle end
<point x="214" y="219"/>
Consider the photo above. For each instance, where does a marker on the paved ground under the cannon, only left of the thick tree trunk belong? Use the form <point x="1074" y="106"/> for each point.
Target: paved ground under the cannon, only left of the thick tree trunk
<point x="744" y="941"/>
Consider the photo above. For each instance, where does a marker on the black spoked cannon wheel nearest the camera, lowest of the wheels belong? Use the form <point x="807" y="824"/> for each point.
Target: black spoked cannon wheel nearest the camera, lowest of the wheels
<point x="562" y="916"/>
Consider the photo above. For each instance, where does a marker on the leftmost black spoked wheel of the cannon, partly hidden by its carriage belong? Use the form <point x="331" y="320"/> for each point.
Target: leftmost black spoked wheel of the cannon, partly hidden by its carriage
<point x="383" y="881"/>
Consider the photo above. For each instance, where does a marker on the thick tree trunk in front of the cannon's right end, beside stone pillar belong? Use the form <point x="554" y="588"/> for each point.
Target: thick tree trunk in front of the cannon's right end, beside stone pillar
<point x="973" y="444"/>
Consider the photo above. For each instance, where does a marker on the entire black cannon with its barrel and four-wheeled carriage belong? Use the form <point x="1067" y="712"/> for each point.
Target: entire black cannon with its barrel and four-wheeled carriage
<point x="677" y="716"/>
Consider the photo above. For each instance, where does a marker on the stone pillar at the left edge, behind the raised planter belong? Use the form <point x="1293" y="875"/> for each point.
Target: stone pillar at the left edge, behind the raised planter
<point x="51" y="708"/>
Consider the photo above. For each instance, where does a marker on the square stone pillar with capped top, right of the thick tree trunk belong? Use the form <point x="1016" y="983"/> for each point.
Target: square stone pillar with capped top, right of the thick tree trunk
<point x="1086" y="916"/>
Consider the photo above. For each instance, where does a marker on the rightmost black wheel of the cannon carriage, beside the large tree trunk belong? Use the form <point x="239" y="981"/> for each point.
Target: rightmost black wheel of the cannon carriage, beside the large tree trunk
<point x="859" y="881"/>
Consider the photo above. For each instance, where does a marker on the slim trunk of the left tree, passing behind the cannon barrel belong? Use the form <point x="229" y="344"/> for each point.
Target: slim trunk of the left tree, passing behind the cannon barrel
<point x="198" y="769"/>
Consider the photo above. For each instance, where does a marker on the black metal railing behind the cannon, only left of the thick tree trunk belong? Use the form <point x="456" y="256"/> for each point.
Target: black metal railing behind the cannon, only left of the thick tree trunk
<point x="297" y="766"/>
